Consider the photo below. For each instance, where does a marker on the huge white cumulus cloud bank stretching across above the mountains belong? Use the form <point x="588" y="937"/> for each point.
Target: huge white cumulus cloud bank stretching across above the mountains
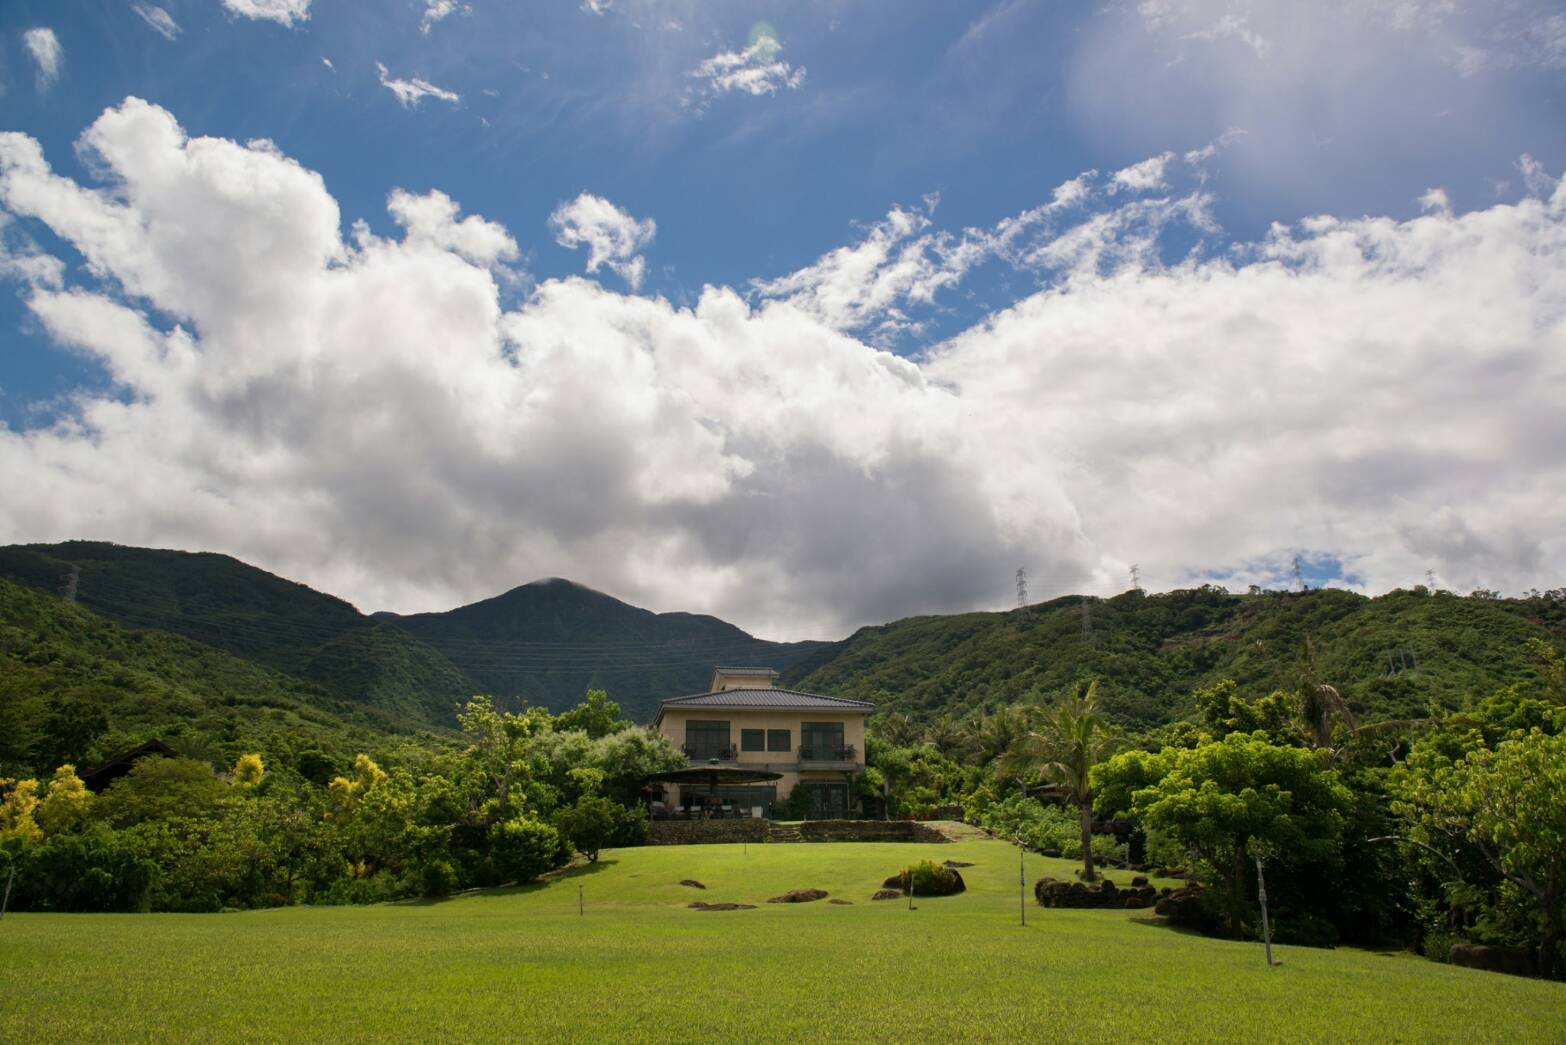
<point x="372" y="418"/>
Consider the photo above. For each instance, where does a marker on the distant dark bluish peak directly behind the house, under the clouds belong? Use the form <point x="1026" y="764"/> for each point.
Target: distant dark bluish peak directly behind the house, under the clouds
<point x="550" y="642"/>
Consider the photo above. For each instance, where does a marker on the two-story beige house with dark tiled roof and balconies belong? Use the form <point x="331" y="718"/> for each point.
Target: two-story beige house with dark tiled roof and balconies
<point x="746" y="721"/>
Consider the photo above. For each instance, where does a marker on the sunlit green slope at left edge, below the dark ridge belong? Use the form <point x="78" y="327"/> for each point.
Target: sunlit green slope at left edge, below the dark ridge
<point x="79" y="689"/>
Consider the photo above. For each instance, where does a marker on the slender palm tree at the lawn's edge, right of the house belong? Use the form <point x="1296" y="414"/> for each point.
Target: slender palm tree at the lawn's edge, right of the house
<point x="1069" y="740"/>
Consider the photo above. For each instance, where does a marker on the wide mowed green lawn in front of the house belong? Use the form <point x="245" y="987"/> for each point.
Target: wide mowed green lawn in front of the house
<point x="640" y="966"/>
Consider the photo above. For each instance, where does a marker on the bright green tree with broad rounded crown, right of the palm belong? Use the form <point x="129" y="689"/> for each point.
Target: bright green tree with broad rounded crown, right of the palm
<point x="1233" y="800"/>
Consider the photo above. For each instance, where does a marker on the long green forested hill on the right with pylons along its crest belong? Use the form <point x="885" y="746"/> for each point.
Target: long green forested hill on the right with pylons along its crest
<point x="1391" y="657"/>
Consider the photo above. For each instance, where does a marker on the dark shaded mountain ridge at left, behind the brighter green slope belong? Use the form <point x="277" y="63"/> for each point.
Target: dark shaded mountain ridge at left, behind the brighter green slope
<point x="222" y="602"/>
